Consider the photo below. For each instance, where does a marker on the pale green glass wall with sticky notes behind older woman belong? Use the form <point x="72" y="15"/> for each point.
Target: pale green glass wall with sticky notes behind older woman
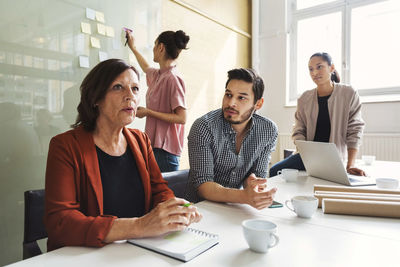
<point x="46" y="49"/>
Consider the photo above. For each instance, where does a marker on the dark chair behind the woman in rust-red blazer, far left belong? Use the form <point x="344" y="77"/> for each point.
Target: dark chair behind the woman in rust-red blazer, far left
<point x="33" y="223"/>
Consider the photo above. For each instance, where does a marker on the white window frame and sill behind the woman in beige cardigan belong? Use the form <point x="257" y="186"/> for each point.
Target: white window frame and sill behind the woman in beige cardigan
<point x="386" y="94"/>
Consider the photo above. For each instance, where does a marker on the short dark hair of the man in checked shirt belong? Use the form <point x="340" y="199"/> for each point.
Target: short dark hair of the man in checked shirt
<point x="250" y="76"/>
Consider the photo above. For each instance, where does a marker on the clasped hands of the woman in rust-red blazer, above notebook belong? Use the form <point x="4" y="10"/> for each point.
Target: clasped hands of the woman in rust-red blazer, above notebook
<point x="168" y="216"/>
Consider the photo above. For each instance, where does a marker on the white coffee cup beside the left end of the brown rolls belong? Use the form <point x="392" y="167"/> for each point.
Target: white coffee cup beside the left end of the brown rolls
<point x="303" y="206"/>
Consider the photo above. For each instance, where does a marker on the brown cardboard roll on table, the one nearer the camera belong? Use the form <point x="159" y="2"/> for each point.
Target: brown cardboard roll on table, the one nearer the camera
<point x="361" y="207"/>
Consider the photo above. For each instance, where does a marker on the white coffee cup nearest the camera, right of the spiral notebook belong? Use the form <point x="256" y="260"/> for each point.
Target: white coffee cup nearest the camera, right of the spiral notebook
<point x="260" y="234"/>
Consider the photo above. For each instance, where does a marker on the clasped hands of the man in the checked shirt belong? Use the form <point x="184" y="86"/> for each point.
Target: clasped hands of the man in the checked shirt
<point x="257" y="194"/>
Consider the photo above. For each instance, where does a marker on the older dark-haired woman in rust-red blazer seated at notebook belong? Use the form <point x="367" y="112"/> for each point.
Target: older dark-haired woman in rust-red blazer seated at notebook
<point x="102" y="181"/>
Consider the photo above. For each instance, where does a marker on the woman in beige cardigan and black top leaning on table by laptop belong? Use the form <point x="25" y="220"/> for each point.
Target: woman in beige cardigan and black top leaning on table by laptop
<point x="329" y="113"/>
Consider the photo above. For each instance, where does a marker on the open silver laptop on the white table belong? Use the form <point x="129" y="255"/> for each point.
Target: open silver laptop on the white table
<point x="322" y="160"/>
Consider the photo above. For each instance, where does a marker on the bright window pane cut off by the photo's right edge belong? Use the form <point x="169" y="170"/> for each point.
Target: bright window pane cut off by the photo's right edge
<point x="375" y="46"/>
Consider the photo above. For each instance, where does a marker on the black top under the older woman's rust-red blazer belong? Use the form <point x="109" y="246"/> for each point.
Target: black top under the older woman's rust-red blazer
<point x="123" y="193"/>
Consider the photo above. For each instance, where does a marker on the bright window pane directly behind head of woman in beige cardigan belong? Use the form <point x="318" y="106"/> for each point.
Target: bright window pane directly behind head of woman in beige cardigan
<point x="317" y="34"/>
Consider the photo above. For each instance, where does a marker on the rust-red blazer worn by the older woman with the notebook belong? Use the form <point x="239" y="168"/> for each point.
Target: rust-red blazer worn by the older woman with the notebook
<point x="74" y="193"/>
